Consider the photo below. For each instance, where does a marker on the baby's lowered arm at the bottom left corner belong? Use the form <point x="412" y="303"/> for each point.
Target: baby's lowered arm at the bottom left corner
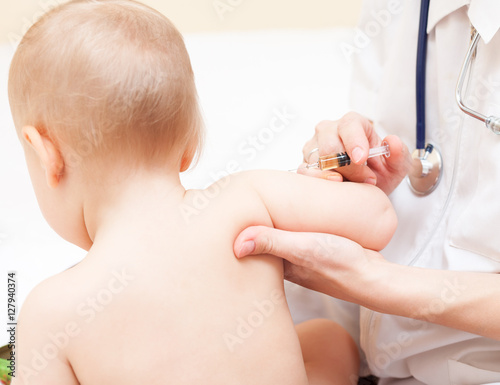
<point x="42" y="339"/>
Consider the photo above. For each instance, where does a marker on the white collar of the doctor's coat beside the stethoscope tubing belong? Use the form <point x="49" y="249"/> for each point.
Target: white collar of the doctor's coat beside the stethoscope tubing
<point x="483" y="14"/>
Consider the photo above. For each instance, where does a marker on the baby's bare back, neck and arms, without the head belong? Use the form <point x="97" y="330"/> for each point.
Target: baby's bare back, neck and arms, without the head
<point x="160" y="298"/>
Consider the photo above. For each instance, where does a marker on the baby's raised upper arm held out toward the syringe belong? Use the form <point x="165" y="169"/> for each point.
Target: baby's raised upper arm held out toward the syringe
<point x="360" y="212"/>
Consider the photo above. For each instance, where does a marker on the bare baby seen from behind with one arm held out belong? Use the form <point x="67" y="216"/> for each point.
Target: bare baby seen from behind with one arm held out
<point x="104" y="101"/>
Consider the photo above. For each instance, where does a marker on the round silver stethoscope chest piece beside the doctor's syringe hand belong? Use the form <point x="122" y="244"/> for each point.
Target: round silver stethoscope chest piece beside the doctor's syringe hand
<point x="426" y="170"/>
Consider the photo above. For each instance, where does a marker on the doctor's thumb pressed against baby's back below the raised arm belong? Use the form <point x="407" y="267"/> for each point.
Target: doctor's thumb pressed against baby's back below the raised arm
<point x="261" y="240"/>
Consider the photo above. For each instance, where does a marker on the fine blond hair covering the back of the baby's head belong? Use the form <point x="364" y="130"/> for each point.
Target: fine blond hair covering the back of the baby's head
<point x="110" y="82"/>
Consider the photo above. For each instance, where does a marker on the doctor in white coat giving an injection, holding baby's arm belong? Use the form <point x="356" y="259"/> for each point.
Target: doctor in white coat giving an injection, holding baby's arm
<point x="430" y="307"/>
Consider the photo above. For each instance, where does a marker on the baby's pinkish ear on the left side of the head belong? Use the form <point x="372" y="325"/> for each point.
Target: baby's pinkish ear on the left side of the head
<point x="48" y="154"/>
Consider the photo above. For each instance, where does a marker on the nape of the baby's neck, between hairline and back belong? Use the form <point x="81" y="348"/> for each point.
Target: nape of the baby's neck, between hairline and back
<point x="130" y="201"/>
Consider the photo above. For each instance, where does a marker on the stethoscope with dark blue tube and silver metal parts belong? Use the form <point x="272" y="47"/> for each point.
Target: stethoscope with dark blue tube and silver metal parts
<point x="427" y="167"/>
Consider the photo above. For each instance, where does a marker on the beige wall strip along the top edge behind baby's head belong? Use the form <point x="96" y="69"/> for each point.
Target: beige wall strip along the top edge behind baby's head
<point x="208" y="15"/>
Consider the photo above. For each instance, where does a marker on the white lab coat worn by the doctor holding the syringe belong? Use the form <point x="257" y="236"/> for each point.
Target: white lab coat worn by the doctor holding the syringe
<point x="457" y="227"/>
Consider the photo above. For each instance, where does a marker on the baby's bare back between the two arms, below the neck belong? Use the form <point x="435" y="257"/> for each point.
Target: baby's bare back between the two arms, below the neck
<point x="172" y="305"/>
